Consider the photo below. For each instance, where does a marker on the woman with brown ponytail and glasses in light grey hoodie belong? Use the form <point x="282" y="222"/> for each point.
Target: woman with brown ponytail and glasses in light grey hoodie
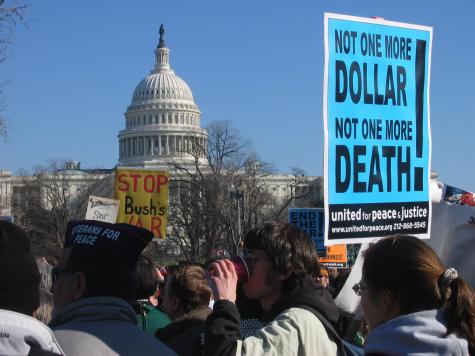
<point x="412" y="303"/>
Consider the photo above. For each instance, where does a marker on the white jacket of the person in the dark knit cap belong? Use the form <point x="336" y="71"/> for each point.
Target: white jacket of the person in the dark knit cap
<point x="21" y="334"/>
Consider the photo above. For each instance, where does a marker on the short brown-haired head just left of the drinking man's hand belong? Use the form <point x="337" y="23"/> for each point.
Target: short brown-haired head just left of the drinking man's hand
<point x="186" y="290"/>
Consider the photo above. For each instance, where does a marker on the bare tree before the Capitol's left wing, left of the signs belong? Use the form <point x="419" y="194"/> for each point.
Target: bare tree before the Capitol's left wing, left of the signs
<point x="47" y="199"/>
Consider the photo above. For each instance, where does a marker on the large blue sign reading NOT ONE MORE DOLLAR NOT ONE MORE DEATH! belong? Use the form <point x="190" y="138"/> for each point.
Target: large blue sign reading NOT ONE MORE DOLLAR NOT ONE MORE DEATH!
<point x="377" y="130"/>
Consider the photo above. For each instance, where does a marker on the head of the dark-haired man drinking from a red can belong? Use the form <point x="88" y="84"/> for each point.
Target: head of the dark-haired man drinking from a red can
<point x="278" y="255"/>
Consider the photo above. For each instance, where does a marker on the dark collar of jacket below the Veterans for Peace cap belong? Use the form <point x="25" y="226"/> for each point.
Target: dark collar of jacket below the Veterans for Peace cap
<point x="94" y="309"/>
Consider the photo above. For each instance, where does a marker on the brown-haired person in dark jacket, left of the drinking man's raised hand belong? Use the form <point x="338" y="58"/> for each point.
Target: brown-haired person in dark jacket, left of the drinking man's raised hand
<point x="185" y="300"/>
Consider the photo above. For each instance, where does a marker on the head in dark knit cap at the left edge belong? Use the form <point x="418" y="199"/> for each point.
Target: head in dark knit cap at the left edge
<point x="19" y="276"/>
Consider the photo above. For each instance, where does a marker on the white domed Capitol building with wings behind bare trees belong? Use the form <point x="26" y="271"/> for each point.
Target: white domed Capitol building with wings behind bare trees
<point x="162" y="130"/>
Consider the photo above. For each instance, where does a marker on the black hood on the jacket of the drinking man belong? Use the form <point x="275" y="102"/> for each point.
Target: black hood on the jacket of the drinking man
<point x="305" y="292"/>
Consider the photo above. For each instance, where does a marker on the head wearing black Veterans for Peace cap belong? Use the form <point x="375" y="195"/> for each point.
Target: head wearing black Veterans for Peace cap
<point x="98" y="259"/>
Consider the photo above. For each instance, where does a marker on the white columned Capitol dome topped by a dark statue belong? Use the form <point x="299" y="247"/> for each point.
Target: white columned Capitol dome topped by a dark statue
<point x="162" y="122"/>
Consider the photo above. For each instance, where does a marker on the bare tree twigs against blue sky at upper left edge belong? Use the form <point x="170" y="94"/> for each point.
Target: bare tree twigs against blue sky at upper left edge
<point x="11" y="14"/>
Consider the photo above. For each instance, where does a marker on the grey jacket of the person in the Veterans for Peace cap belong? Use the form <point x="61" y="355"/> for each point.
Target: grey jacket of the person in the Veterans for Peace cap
<point x="103" y="326"/>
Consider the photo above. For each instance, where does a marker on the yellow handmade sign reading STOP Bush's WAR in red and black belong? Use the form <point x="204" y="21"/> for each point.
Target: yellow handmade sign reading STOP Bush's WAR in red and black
<point x="143" y="196"/>
